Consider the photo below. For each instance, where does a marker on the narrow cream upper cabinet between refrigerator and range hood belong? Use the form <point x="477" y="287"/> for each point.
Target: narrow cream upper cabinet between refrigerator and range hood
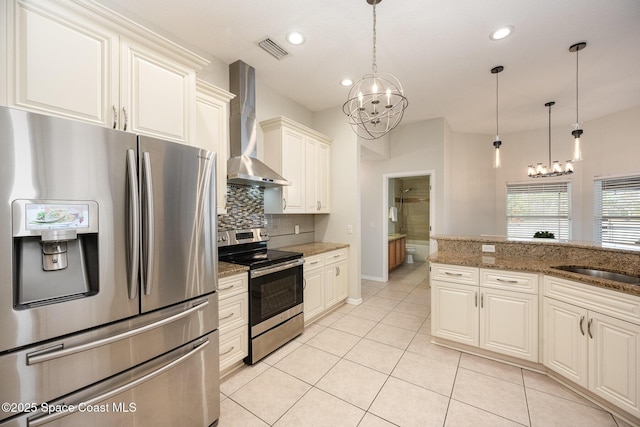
<point x="212" y="132"/>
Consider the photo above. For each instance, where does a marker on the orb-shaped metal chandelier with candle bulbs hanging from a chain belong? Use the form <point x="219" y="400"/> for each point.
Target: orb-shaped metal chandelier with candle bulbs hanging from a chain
<point x="376" y="103"/>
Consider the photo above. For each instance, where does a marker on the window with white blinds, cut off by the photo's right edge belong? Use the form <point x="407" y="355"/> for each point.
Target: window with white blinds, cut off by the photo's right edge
<point x="616" y="210"/>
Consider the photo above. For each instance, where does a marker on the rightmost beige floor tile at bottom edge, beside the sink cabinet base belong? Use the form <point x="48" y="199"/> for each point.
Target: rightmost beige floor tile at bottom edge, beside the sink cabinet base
<point x="547" y="410"/>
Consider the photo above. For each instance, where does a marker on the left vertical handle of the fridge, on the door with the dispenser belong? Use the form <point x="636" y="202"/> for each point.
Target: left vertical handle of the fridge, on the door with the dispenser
<point x="134" y="224"/>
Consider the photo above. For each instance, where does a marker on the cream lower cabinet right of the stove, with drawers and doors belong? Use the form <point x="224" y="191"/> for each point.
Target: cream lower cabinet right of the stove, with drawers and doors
<point x="326" y="282"/>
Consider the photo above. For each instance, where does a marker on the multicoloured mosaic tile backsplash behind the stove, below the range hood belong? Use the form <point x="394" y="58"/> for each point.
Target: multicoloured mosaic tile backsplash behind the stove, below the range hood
<point x="245" y="208"/>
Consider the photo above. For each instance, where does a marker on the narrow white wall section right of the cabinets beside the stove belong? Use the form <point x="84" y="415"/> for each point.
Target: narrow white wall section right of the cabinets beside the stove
<point x="345" y="194"/>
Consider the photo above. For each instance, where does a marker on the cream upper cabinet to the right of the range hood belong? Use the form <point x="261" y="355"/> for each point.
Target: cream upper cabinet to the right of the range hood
<point x="301" y="155"/>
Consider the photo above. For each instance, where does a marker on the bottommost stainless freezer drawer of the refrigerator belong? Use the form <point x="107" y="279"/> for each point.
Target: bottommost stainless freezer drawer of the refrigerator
<point x="180" y="388"/>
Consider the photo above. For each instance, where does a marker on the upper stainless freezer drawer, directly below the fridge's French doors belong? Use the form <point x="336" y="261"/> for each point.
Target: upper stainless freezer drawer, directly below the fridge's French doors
<point x="47" y="371"/>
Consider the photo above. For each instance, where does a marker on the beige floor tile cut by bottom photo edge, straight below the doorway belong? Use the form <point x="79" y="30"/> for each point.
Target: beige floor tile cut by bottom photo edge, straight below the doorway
<point x="408" y="405"/>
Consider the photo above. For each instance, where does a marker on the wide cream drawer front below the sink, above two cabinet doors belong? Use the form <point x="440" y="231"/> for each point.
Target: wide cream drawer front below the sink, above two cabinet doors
<point x="613" y="303"/>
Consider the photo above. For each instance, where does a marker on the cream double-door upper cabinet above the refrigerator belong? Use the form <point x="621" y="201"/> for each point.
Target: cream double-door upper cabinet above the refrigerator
<point x="84" y="62"/>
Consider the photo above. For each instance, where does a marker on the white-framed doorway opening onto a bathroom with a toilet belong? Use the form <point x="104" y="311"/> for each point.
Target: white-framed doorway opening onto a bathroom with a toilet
<point x="409" y="207"/>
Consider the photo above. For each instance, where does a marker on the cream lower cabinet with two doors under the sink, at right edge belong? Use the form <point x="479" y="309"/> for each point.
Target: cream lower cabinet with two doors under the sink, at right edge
<point x="592" y="337"/>
